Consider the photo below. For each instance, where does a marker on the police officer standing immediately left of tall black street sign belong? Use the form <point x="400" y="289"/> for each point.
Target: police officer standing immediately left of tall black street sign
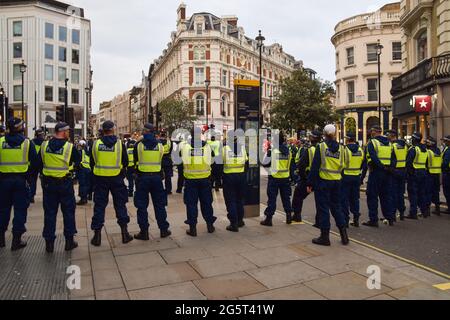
<point x="234" y="158"/>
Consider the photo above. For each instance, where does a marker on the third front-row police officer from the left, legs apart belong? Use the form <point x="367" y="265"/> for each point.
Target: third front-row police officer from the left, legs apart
<point x="109" y="159"/>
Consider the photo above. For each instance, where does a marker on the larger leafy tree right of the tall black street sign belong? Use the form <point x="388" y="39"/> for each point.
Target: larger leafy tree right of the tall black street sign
<point x="303" y="104"/>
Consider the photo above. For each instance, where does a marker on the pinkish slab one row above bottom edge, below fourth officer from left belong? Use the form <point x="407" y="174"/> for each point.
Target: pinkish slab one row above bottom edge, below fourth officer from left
<point x="159" y="276"/>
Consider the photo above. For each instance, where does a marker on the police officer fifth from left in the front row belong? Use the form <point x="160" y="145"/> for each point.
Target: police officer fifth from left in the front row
<point x="197" y="157"/>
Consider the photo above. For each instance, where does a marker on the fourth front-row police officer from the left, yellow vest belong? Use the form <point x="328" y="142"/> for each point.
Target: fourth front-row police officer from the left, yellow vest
<point x="149" y="154"/>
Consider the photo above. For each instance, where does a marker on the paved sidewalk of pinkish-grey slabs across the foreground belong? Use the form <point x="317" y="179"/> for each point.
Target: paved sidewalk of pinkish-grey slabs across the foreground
<point x="257" y="263"/>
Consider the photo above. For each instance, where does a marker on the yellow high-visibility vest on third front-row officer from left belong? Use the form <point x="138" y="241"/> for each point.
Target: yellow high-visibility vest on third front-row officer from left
<point x="108" y="160"/>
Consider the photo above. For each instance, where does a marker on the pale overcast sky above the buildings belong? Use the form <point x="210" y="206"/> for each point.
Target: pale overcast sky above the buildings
<point x="128" y="35"/>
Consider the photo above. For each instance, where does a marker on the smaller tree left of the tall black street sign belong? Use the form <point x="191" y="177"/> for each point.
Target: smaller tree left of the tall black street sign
<point x="177" y="113"/>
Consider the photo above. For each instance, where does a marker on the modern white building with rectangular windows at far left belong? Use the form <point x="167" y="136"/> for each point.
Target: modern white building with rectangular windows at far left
<point x="53" y="39"/>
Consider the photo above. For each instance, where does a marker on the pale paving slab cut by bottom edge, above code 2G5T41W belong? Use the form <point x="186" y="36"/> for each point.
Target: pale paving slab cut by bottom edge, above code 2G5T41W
<point x="295" y="292"/>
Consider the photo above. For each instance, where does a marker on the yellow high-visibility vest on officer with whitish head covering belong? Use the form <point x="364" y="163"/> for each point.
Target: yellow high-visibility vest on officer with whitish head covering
<point x="332" y="163"/>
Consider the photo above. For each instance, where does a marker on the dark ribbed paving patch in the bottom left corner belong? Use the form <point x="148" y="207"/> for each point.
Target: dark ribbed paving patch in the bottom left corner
<point x="32" y="274"/>
